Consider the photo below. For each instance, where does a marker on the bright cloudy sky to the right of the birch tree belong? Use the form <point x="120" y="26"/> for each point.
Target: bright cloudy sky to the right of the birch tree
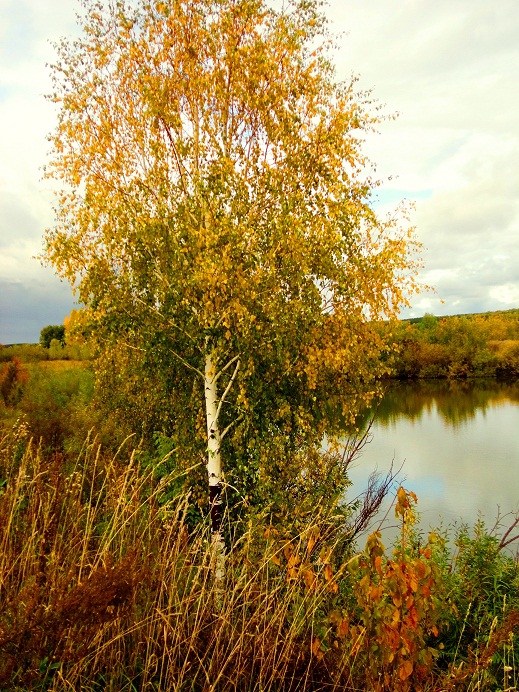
<point x="450" y="69"/>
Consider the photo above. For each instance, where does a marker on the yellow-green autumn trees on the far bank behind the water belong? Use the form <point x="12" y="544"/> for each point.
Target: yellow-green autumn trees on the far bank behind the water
<point x="477" y="345"/>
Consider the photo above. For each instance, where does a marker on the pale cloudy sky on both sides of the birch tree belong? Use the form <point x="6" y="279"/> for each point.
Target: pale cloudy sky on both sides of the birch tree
<point x="450" y="68"/>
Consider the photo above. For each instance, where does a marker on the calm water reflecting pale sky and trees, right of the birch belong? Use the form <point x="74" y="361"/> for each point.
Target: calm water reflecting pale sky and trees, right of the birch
<point x="458" y="443"/>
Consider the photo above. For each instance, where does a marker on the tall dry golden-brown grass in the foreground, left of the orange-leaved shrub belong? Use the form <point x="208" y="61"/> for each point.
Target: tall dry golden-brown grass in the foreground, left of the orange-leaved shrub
<point x="100" y="588"/>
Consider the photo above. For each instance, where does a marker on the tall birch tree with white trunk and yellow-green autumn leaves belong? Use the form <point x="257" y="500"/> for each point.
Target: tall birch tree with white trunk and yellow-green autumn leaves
<point x="214" y="204"/>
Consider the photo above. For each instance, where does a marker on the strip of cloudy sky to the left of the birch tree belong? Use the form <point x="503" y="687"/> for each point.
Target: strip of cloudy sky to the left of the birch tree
<point x="30" y="296"/>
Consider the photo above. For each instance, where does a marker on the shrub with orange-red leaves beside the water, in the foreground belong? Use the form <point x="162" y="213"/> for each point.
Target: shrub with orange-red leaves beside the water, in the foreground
<point x="399" y="611"/>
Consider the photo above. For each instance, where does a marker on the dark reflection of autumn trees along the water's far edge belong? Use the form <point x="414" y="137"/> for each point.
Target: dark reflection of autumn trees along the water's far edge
<point x="455" y="400"/>
